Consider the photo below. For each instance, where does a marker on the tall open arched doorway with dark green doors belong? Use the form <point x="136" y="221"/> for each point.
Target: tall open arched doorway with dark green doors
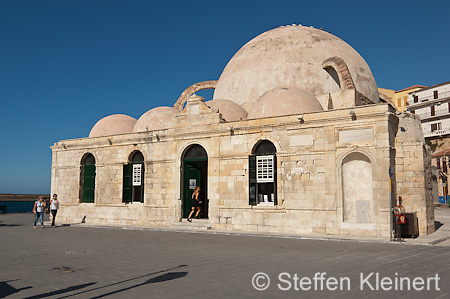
<point x="194" y="173"/>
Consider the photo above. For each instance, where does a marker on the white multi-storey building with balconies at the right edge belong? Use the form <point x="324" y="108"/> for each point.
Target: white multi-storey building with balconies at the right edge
<point x="432" y="105"/>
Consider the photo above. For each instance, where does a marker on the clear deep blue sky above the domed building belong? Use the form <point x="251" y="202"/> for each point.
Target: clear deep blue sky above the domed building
<point x="66" y="64"/>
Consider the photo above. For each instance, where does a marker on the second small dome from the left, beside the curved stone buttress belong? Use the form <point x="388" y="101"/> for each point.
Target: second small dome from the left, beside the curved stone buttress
<point x="155" y="119"/>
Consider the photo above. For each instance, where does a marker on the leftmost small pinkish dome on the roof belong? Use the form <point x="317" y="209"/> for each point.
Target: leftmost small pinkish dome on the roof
<point x="113" y="125"/>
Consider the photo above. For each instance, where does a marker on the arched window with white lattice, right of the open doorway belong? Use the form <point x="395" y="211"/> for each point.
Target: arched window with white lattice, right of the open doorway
<point x="263" y="174"/>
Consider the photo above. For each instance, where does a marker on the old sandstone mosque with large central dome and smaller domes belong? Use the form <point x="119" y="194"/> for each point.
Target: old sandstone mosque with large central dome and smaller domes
<point x="295" y="140"/>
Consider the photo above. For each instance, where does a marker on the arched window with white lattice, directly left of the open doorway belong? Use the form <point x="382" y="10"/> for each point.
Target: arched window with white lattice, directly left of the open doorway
<point x="133" y="178"/>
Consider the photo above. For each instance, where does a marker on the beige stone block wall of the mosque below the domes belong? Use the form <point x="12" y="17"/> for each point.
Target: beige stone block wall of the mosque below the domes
<point x="310" y="156"/>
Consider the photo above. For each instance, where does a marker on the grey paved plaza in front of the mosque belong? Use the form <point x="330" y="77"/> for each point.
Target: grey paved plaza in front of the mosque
<point x="90" y="262"/>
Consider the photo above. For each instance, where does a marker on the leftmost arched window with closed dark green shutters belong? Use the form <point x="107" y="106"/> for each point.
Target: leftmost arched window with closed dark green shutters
<point x="87" y="178"/>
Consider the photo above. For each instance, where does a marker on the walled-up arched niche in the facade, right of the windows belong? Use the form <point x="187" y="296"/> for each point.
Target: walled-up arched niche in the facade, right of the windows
<point x="357" y="177"/>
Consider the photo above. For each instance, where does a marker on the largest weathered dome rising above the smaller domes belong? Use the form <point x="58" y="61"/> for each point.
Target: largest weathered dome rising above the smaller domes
<point x="292" y="56"/>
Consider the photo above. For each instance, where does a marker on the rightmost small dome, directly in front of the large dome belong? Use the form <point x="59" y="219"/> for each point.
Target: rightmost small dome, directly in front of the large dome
<point x="284" y="101"/>
